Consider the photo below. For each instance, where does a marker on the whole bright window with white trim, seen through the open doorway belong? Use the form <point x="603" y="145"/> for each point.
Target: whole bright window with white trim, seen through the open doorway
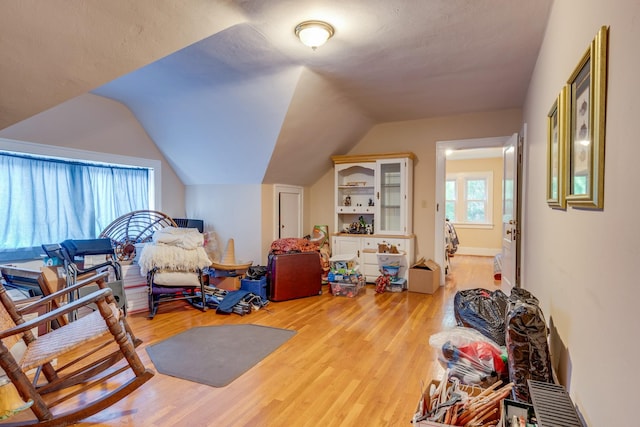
<point x="469" y="198"/>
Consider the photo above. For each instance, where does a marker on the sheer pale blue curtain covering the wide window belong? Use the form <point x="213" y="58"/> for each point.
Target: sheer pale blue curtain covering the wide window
<point x="48" y="200"/>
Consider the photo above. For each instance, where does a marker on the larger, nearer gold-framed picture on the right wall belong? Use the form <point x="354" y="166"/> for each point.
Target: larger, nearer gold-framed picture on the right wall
<point x="587" y="97"/>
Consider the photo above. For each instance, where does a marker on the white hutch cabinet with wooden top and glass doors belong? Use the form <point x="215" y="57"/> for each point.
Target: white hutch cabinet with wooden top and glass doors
<point x="374" y="205"/>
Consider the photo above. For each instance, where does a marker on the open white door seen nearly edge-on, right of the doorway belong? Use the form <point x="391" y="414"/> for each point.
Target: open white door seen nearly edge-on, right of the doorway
<point x="510" y="226"/>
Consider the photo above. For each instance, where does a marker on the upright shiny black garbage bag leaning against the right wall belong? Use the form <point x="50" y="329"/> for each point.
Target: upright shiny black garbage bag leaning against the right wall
<point x="527" y="346"/>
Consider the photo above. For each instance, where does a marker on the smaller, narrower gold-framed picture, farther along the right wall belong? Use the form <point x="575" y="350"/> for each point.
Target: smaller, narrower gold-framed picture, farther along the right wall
<point x="556" y="151"/>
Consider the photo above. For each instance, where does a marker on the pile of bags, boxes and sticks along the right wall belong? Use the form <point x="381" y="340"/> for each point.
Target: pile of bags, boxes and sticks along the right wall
<point x="494" y="362"/>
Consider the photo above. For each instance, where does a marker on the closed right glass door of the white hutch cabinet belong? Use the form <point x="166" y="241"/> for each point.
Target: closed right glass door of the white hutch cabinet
<point x="391" y="196"/>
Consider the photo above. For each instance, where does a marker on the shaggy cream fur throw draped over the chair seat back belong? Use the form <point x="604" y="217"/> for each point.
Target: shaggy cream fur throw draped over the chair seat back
<point x="172" y="258"/>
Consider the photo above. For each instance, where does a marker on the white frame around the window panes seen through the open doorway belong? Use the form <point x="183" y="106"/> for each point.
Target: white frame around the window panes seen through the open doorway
<point x="461" y="179"/>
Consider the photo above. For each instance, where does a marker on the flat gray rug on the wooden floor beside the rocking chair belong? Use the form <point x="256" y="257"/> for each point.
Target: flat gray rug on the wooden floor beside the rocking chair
<point x="216" y="355"/>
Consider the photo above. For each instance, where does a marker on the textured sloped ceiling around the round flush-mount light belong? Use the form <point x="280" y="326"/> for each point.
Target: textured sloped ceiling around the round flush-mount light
<point x="229" y="80"/>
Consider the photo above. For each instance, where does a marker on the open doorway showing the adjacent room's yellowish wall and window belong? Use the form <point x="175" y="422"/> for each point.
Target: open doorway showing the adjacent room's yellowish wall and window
<point x="483" y="159"/>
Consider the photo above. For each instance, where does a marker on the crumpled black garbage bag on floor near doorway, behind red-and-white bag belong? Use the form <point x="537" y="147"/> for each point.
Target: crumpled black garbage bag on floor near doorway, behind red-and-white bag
<point x="482" y="310"/>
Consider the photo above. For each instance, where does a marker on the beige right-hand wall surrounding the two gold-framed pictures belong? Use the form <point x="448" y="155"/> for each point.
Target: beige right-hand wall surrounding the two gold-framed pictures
<point x="582" y="265"/>
